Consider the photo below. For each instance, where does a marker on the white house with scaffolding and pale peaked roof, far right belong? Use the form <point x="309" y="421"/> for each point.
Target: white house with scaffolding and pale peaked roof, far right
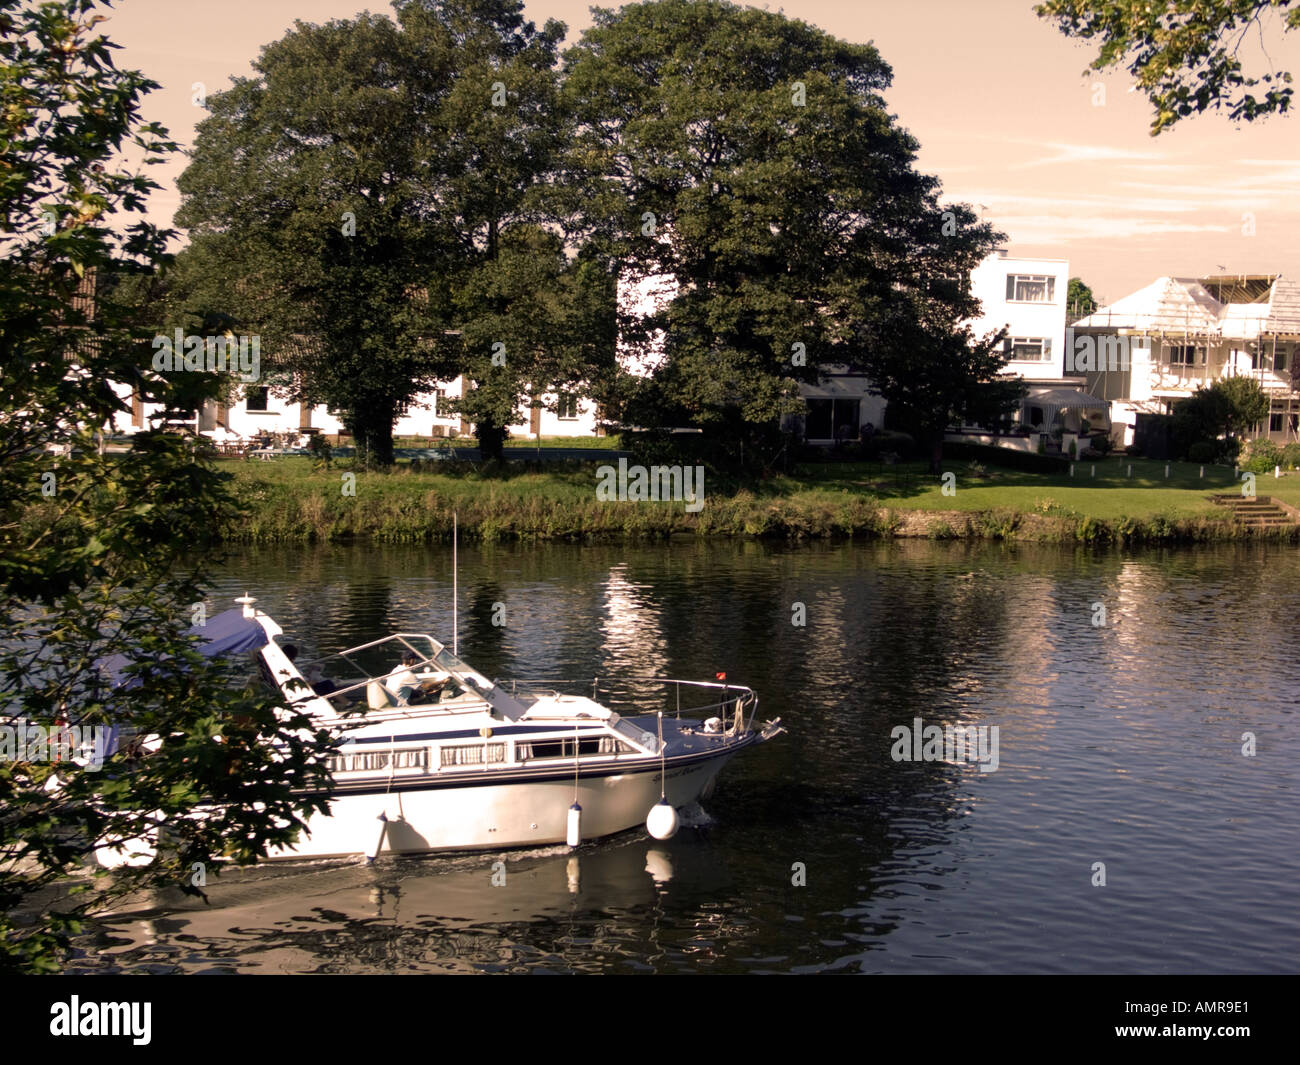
<point x="1159" y="345"/>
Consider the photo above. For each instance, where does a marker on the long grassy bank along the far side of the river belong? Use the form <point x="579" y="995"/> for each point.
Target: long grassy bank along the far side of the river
<point x="291" y="503"/>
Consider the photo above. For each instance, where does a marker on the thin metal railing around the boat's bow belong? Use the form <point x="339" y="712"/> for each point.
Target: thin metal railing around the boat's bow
<point x="734" y="704"/>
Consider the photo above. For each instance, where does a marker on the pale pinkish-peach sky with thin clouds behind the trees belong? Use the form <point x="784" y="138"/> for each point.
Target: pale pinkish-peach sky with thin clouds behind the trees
<point x="1056" y="158"/>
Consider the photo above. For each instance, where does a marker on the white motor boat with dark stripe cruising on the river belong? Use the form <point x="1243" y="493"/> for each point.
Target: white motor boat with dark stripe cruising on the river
<point x="484" y="765"/>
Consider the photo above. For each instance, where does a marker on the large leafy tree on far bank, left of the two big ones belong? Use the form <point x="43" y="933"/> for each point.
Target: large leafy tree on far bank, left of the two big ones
<point x="345" y="201"/>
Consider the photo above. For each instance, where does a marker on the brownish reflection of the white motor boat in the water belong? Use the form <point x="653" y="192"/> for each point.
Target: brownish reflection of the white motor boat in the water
<point x="553" y="910"/>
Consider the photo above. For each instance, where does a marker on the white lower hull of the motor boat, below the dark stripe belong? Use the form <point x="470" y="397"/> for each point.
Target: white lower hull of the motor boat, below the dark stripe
<point x="486" y="816"/>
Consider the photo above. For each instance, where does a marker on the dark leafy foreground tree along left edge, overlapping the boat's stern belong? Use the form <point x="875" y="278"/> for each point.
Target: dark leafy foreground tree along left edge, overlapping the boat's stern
<point x="102" y="555"/>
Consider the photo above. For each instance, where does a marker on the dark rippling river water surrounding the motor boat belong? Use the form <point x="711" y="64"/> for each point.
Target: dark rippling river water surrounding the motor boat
<point x="1120" y="746"/>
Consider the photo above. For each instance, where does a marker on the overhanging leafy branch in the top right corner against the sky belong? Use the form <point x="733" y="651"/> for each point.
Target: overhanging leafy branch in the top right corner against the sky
<point x="1188" y="54"/>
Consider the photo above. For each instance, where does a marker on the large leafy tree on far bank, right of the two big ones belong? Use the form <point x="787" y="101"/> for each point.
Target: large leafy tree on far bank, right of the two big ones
<point x="751" y="159"/>
